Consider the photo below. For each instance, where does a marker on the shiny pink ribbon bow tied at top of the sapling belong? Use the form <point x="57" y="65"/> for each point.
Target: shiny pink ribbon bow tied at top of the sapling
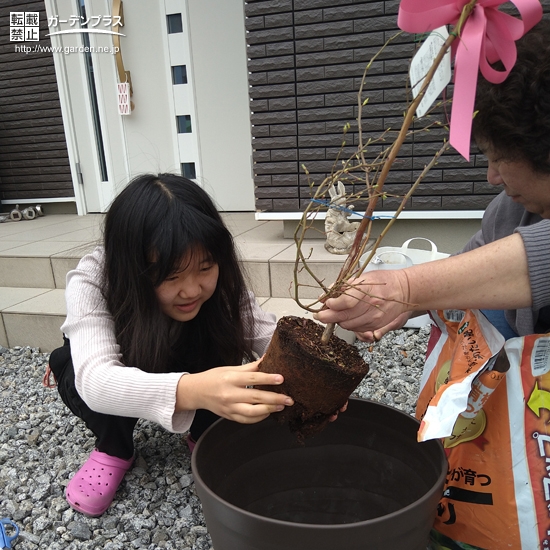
<point x="487" y="36"/>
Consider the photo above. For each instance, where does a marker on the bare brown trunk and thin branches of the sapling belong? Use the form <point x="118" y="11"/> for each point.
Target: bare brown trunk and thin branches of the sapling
<point x="372" y="175"/>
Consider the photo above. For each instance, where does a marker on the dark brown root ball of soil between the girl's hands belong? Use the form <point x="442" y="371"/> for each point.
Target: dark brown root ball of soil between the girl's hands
<point x="319" y="378"/>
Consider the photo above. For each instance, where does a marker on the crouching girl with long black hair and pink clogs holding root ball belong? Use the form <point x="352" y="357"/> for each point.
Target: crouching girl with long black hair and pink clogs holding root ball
<point x="151" y="316"/>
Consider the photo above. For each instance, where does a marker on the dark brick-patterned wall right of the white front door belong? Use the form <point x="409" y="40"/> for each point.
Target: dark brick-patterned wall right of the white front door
<point x="306" y="61"/>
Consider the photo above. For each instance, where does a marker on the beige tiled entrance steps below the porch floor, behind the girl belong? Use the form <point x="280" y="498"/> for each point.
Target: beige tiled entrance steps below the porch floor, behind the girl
<point x="32" y="295"/>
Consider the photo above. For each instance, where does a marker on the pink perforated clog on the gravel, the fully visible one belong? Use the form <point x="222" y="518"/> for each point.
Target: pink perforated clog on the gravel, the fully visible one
<point x="93" y="487"/>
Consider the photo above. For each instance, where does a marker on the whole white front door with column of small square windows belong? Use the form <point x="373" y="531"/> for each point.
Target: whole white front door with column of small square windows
<point x="190" y="97"/>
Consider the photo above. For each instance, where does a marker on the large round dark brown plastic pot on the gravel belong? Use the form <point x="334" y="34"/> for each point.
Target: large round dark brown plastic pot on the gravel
<point x="363" y="483"/>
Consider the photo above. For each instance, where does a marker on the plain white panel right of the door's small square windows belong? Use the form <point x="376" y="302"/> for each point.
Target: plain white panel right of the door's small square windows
<point x="217" y="37"/>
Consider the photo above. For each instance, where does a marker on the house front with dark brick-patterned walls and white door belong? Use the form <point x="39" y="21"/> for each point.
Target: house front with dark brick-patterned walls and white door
<point x="299" y="88"/>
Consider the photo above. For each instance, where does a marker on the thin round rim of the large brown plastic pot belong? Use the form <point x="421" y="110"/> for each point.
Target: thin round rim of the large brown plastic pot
<point x="257" y="517"/>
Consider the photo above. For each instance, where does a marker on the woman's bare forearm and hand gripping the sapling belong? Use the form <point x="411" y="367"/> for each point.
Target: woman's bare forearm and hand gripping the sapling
<point x="494" y="276"/>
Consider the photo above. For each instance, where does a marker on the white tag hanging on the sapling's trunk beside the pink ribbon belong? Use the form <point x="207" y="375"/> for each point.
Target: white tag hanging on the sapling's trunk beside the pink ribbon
<point x="421" y="64"/>
